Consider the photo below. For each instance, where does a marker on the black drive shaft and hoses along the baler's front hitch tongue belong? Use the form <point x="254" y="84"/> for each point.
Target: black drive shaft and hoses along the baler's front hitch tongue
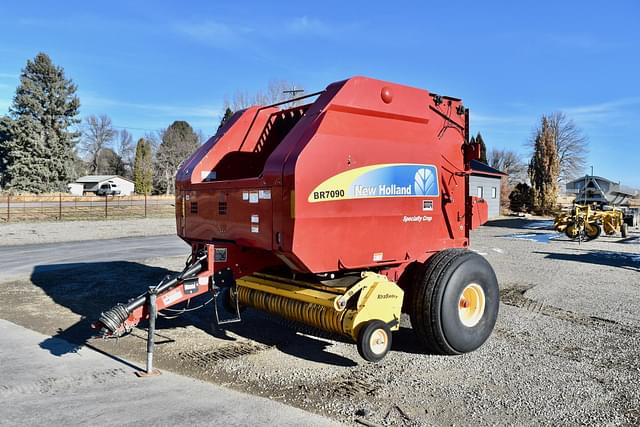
<point x="114" y="318"/>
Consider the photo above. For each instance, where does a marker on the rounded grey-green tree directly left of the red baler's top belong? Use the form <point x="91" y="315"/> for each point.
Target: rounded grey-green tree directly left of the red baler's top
<point x="179" y="141"/>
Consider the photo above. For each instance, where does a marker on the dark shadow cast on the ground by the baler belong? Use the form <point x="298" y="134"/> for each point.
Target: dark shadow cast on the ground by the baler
<point x="87" y="289"/>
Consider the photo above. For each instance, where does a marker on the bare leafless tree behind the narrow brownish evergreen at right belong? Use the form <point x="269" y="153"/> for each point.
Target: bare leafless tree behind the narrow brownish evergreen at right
<point x="571" y="144"/>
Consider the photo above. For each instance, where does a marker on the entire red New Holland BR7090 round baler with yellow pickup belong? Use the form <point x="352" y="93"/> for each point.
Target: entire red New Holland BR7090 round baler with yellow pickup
<point x="340" y="214"/>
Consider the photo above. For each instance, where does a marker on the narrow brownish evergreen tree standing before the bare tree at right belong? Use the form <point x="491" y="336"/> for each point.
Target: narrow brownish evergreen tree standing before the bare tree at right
<point x="544" y="170"/>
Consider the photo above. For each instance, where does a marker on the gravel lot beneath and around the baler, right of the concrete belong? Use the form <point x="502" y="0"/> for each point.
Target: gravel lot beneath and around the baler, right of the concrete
<point x="564" y="351"/>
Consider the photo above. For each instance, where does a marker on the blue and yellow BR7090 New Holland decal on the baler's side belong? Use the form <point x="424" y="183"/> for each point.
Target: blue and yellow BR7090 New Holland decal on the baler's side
<point x="383" y="180"/>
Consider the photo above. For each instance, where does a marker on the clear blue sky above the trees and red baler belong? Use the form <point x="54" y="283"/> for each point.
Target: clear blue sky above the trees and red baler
<point x="146" y="64"/>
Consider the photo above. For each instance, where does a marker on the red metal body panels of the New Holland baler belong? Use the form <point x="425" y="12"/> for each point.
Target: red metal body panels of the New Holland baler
<point x="357" y="128"/>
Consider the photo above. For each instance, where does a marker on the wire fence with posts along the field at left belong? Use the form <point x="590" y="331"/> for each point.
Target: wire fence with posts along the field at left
<point x="68" y="208"/>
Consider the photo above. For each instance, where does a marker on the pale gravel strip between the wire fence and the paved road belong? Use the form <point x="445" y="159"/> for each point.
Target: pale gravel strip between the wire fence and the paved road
<point x="20" y="233"/>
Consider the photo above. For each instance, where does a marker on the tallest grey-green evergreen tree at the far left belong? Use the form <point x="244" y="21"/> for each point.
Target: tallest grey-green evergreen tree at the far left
<point x="36" y="140"/>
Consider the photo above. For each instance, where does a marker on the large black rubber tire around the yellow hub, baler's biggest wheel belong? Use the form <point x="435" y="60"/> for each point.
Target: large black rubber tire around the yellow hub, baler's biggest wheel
<point x="435" y="298"/>
